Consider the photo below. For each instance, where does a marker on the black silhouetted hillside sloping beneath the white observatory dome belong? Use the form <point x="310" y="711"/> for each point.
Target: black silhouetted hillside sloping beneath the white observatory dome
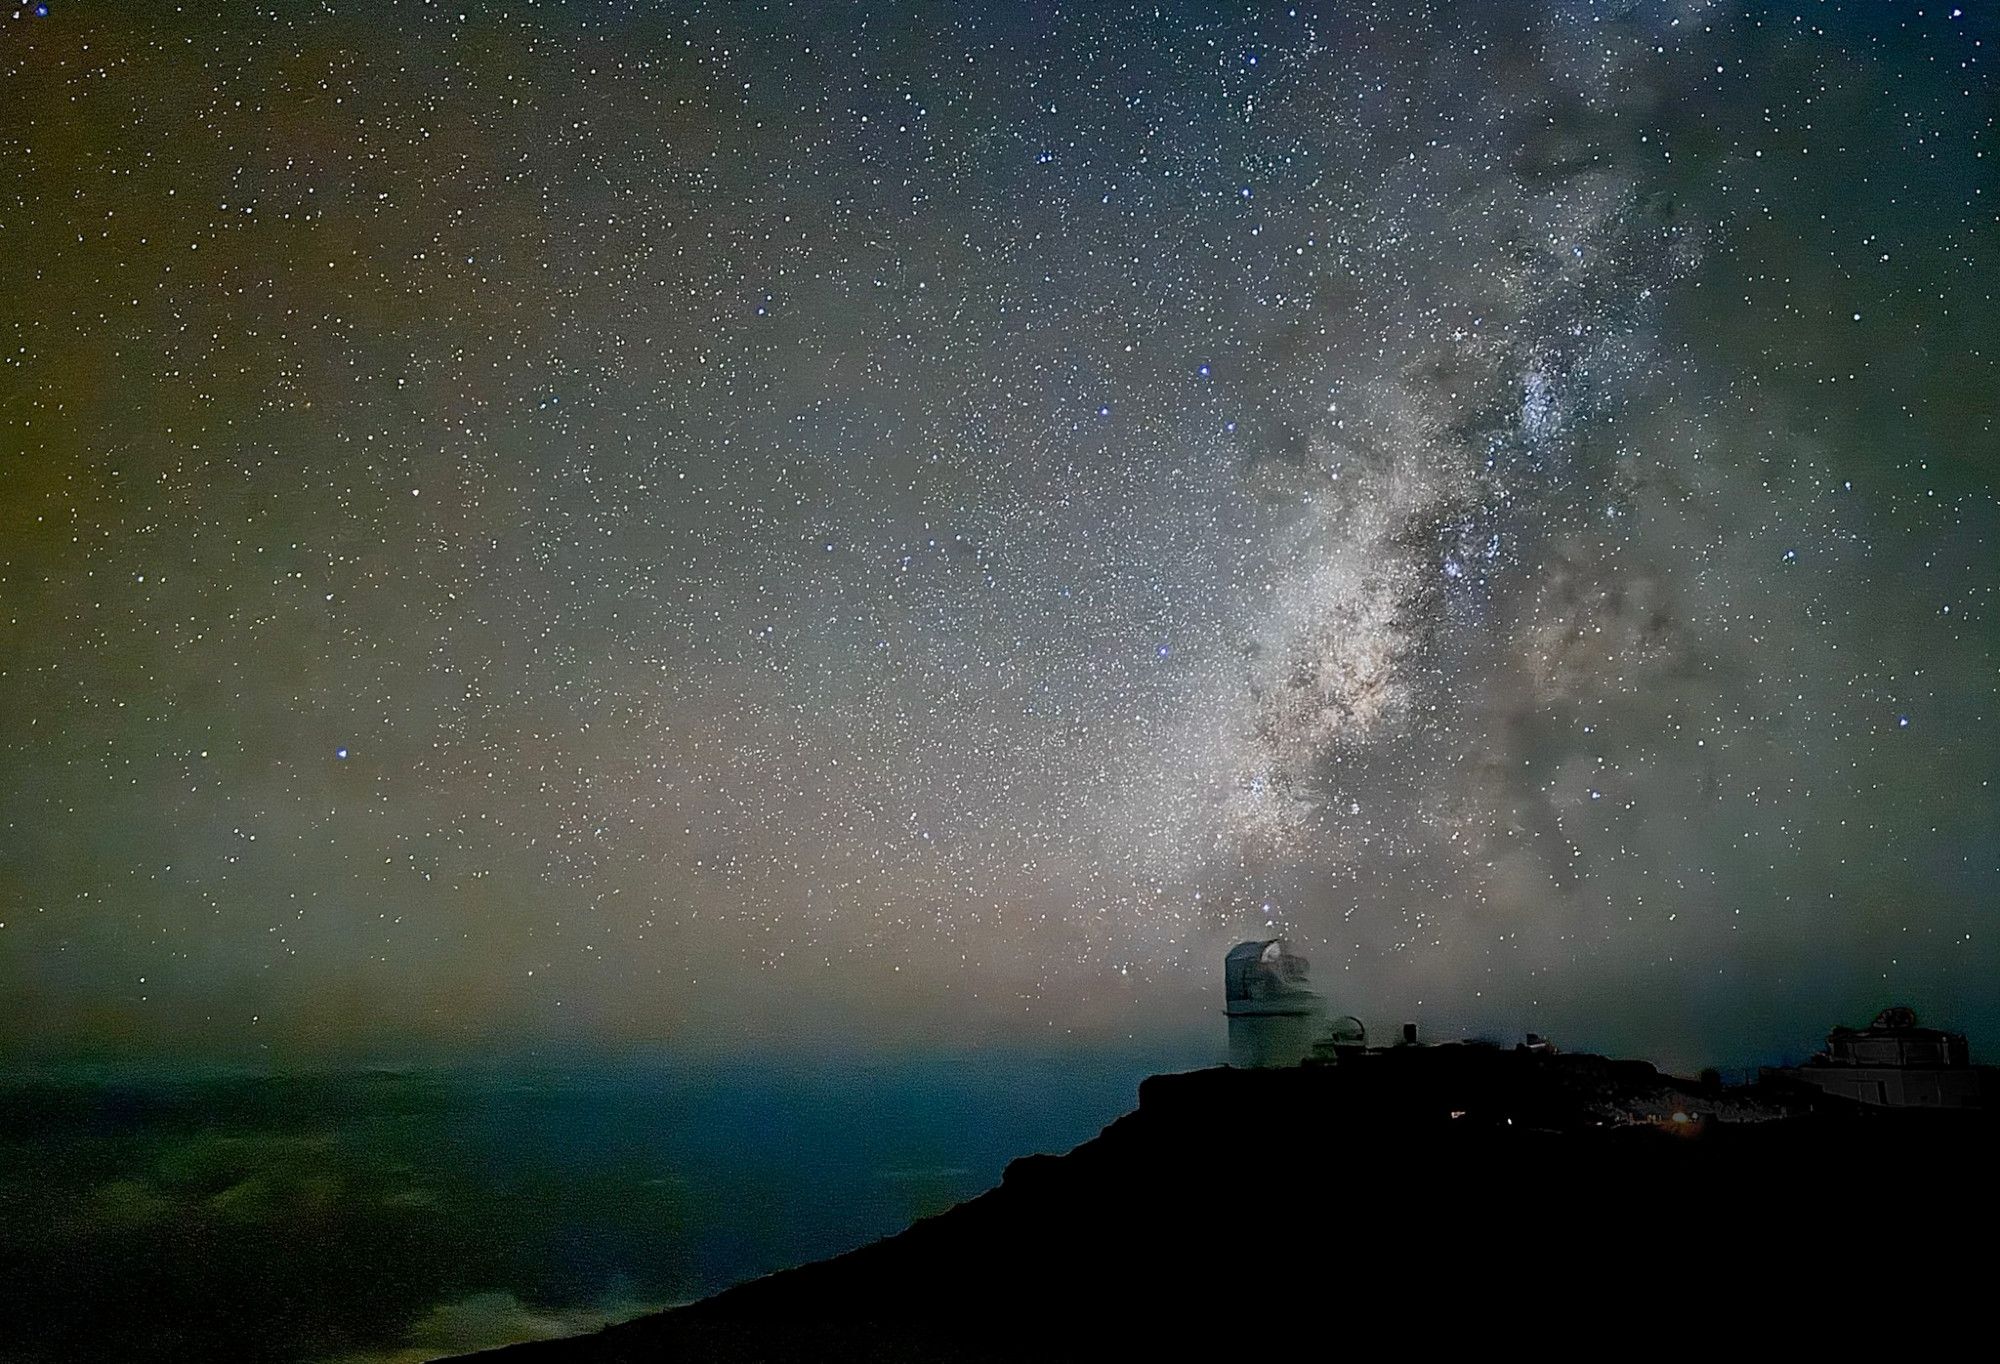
<point x="1453" y="1197"/>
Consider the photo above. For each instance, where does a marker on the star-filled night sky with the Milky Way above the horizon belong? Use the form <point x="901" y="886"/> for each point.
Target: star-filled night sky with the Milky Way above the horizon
<point x="907" y="525"/>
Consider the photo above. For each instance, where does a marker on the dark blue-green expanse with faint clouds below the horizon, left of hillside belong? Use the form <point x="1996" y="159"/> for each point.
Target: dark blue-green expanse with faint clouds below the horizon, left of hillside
<point x="401" y="1215"/>
